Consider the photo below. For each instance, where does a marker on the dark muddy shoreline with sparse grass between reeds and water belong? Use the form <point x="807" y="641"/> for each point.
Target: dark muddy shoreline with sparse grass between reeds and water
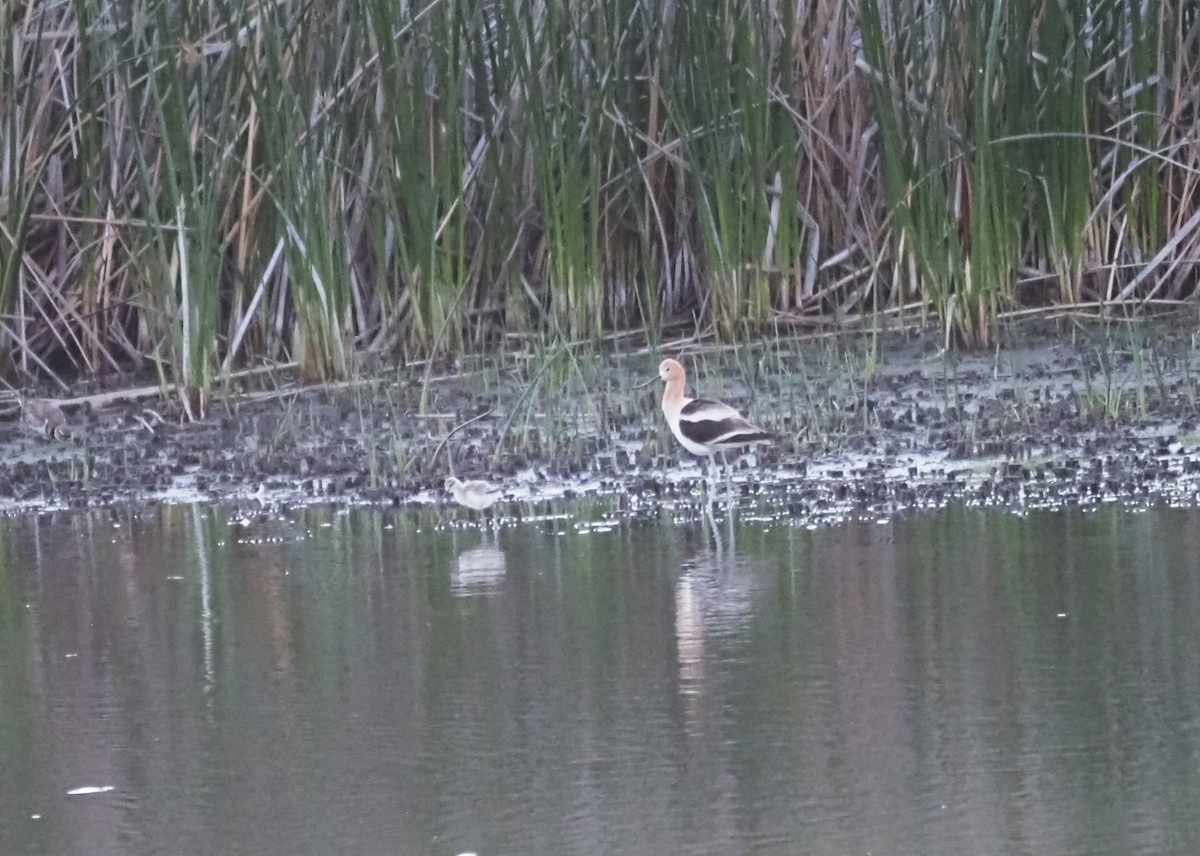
<point x="1060" y="414"/>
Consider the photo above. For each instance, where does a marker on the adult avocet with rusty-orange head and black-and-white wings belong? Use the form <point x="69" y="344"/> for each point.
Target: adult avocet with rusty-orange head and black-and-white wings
<point x="705" y="428"/>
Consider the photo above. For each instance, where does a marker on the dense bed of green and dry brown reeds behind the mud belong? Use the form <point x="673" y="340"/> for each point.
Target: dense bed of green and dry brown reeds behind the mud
<point x="206" y="185"/>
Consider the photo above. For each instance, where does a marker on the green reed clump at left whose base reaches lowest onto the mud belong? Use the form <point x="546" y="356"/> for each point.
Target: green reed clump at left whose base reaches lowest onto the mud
<point x="182" y="166"/>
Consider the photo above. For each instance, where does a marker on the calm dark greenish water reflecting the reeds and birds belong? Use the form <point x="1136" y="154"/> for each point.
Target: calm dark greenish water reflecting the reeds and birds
<point x="953" y="683"/>
